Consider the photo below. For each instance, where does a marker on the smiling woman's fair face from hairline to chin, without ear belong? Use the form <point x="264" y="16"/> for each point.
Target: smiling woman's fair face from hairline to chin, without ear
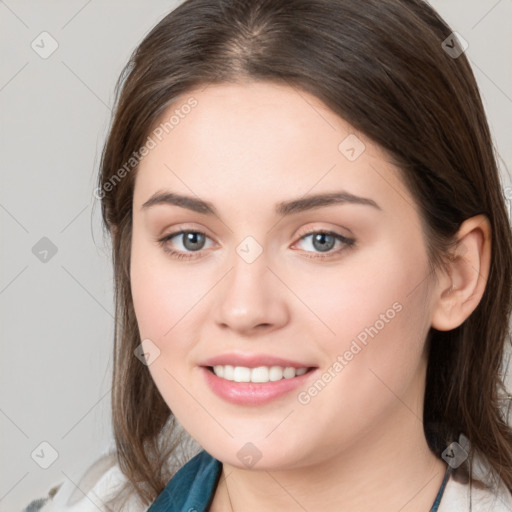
<point x="352" y="302"/>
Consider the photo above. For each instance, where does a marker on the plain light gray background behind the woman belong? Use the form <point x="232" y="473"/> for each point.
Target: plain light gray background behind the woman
<point x="56" y="315"/>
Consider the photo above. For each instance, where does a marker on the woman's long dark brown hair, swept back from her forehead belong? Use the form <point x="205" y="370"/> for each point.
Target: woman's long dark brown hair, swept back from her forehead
<point x="381" y="66"/>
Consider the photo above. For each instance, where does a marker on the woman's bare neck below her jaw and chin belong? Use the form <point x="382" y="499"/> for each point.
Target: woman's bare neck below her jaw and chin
<point x="391" y="468"/>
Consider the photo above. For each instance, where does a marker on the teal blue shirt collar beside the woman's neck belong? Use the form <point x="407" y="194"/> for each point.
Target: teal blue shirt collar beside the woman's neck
<point x="192" y="488"/>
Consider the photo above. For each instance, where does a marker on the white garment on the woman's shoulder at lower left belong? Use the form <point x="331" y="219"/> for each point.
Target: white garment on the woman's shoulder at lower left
<point x="101" y="482"/>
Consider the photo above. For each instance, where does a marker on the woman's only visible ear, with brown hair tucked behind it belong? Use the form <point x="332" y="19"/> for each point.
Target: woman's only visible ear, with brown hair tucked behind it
<point x="462" y="285"/>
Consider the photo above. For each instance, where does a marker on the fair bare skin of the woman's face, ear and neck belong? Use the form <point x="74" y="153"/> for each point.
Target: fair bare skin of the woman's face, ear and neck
<point x="359" y="443"/>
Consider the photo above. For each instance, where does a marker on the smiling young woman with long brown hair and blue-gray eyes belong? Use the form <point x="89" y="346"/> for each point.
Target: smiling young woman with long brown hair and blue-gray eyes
<point x="312" y="262"/>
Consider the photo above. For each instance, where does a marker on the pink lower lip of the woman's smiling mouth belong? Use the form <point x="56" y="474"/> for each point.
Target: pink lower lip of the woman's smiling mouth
<point x="253" y="393"/>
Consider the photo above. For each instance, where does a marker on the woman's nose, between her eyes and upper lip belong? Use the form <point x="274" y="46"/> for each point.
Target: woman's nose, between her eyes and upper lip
<point x="251" y="299"/>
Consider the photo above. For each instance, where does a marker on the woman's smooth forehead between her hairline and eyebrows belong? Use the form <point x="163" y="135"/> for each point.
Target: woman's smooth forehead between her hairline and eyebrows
<point x="258" y="137"/>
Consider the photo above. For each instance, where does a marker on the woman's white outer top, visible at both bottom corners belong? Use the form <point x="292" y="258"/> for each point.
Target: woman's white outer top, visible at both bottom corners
<point x="104" y="479"/>
